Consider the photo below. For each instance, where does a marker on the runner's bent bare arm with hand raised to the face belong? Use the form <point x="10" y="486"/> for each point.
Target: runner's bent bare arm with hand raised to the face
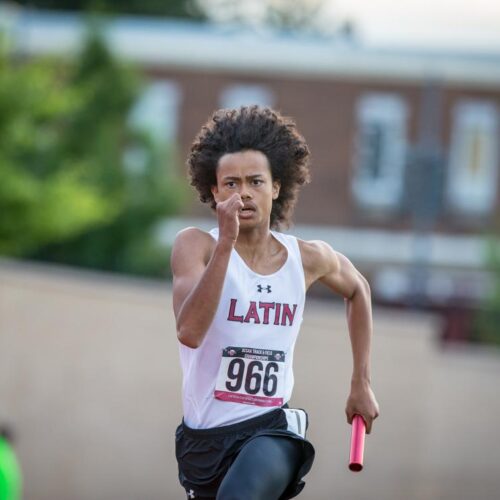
<point x="199" y="268"/>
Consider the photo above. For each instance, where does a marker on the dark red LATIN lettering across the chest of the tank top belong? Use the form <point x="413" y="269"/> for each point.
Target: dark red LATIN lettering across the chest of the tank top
<point x="265" y="313"/>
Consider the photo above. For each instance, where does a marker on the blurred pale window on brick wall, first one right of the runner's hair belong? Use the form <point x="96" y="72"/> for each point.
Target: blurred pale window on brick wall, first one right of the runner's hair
<point x="380" y="151"/>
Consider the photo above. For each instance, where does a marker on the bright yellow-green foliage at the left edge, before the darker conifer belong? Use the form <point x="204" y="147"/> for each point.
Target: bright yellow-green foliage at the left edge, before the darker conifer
<point x="36" y="180"/>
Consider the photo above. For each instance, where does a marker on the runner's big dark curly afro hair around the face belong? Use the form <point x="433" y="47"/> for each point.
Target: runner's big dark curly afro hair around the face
<point x="252" y="128"/>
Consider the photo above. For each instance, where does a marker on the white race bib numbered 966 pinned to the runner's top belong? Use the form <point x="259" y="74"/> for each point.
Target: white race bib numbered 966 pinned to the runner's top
<point x="251" y="376"/>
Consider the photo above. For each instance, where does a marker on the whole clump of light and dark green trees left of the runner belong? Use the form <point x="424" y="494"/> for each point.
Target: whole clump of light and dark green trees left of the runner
<point x="68" y="191"/>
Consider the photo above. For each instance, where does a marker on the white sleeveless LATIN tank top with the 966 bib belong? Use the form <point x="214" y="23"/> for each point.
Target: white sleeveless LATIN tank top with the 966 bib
<point x="243" y="368"/>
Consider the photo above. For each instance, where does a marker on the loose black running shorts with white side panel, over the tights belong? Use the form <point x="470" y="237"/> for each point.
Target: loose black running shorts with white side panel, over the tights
<point x="205" y="455"/>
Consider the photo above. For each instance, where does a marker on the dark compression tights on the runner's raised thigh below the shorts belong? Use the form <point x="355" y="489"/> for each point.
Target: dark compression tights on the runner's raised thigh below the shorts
<point x="262" y="470"/>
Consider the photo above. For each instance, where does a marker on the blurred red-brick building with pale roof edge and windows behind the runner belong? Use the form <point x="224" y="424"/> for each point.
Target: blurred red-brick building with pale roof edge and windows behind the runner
<point x="405" y="144"/>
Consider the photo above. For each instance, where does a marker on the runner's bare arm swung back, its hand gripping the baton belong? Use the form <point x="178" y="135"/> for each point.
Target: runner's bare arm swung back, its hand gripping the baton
<point x="322" y="263"/>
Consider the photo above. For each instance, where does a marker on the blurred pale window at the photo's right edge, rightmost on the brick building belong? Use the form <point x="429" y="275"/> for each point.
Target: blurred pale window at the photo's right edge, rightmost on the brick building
<point x="473" y="166"/>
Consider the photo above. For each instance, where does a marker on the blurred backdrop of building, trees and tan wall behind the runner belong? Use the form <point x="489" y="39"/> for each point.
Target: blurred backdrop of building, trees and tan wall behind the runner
<point x="99" y="103"/>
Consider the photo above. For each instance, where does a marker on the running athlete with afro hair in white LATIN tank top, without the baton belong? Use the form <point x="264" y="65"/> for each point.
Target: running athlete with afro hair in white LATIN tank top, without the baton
<point x="238" y="297"/>
